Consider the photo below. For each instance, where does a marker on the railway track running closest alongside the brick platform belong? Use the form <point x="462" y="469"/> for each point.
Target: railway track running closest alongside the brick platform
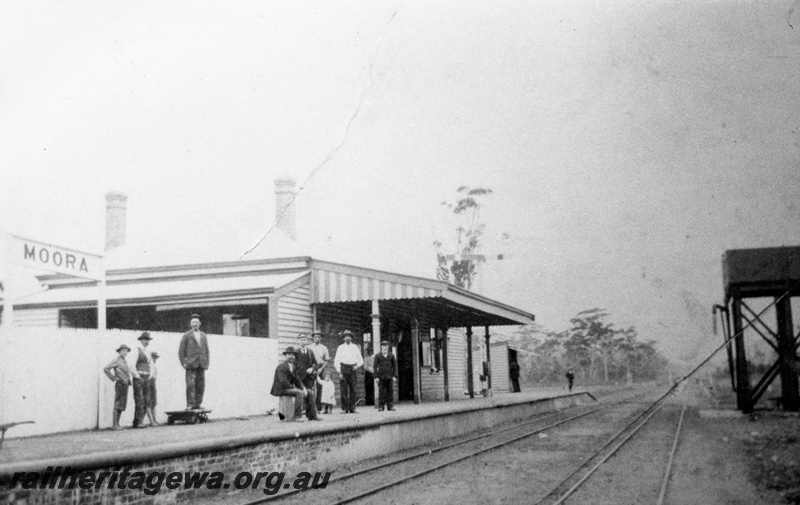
<point x="394" y="475"/>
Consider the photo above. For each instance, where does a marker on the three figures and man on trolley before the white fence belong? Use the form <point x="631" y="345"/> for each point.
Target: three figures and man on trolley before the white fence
<point x="140" y="372"/>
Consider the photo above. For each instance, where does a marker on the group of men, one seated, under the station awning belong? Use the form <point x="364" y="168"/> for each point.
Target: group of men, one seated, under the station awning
<point x="297" y="376"/>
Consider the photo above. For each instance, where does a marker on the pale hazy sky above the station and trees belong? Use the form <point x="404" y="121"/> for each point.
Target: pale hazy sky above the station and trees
<point x="627" y="144"/>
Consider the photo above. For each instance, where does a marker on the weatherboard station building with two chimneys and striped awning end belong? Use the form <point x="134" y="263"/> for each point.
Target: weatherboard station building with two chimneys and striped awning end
<point x="433" y="326"/>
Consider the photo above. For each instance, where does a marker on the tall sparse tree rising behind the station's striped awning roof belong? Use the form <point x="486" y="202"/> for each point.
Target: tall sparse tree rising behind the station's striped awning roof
<point x="469" y="232"/>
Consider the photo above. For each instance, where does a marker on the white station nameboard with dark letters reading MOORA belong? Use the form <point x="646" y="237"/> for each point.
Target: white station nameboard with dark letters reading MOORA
<point x="35" y="254"/>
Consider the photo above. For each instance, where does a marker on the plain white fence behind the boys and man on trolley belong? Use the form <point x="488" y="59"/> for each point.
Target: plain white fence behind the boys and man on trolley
<point x="54" y="377"/>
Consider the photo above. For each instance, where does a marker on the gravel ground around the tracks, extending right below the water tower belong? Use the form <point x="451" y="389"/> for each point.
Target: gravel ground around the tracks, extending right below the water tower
<point x="720" y="460"/>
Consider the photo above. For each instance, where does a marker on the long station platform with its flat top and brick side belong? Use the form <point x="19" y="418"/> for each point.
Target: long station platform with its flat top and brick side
<point x="267" y="444"/>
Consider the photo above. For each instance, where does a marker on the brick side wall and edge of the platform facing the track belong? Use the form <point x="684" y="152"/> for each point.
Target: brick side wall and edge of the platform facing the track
<point x="321" y="447"/>
